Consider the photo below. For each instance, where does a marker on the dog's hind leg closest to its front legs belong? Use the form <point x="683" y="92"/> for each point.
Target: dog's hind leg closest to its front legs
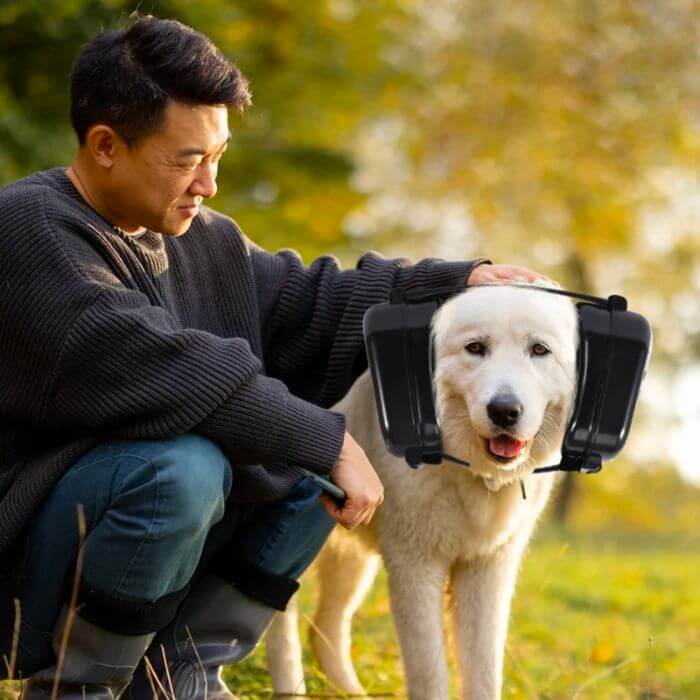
<point x="345" y="572"/>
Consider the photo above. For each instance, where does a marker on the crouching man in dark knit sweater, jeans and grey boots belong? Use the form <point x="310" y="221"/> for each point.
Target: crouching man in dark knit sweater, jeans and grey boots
<point x="160" y="389"/>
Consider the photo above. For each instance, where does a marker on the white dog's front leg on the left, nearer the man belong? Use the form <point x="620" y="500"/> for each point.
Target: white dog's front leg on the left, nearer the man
<point x="417" y="588"/>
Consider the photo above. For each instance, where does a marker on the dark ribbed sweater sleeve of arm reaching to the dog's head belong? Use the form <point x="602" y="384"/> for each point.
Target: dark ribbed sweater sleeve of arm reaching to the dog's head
<point x="312" y="315"/>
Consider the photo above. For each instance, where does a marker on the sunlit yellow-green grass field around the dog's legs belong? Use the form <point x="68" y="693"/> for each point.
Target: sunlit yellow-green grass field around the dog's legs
<point x="608" y="608"/>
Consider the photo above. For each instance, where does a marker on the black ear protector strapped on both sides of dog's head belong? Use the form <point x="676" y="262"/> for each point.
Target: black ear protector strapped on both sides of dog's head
<point x="613" y="354"/>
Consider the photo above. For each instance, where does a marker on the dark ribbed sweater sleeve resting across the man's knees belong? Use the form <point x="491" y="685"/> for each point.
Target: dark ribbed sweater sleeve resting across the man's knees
<point x="126" y="370"/>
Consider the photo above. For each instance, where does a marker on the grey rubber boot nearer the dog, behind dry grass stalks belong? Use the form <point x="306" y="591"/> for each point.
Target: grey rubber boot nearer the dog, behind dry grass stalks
<point x="216" y="625"/>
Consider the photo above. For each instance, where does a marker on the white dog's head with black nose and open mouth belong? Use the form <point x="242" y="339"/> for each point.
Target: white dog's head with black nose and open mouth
<point x="505" y="378"/>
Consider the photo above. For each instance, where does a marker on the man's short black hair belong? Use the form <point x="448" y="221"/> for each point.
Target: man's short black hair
<point x="125" y="77"/>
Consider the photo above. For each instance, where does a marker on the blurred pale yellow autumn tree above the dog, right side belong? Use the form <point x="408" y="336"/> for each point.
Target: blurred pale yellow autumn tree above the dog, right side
<point x="563" y="136"/>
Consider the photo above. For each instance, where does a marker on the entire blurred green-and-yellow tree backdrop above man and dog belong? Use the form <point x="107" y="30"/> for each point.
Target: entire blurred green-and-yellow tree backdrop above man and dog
<point x="563" y="136"/>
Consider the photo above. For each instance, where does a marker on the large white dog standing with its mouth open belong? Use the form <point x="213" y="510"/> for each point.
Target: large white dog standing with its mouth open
<point x="505" y="381"/>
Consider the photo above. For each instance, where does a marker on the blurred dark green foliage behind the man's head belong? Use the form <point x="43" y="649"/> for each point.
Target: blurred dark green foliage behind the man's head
<point x="315" y="69"/>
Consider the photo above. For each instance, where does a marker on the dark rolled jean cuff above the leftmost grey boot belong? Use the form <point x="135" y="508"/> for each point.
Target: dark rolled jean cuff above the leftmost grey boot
<point x="128" y="617"/>
